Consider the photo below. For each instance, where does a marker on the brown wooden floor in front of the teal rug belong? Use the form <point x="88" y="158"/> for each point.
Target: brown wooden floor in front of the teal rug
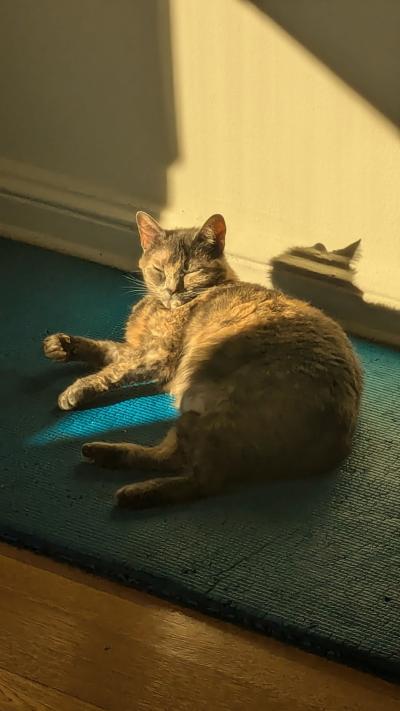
<point x="71" y="642"/>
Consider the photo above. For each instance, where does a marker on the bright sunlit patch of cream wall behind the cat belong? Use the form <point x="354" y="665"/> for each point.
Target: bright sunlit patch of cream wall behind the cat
<point x="278" y="143"/>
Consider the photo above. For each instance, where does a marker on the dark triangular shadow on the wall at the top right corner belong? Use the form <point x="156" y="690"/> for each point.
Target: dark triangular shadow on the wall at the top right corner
<point x="359" y="40"/>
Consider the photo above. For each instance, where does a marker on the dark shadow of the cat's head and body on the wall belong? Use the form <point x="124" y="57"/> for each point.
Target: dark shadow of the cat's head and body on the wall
<point x="327" y="280"/>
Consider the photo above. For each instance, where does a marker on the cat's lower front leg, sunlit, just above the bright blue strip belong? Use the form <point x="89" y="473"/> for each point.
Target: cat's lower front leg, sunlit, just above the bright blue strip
<point x="112" y="376"/>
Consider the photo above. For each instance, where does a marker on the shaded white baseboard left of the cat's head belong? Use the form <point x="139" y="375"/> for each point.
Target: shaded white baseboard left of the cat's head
<point x="56" y="212"/>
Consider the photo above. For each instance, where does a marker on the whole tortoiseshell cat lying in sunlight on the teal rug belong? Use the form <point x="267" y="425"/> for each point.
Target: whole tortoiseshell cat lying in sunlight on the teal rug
<point x="267" y="386"/>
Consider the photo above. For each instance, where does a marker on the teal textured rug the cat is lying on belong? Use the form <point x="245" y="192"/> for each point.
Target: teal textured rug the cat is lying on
<point x="314" y="563"/>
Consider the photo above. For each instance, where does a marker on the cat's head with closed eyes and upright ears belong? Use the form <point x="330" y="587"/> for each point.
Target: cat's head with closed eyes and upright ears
<point x="179" y="264"/>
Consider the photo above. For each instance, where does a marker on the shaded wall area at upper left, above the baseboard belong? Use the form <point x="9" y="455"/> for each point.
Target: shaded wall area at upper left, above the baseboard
<point x="85" y="91"/>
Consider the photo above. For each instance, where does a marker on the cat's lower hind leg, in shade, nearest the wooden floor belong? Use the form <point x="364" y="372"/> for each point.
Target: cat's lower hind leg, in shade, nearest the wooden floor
<point x="161" y="492"/>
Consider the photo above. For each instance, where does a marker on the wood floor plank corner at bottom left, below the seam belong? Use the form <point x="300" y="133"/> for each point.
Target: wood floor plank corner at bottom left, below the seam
<point x="19" y="694"/>
